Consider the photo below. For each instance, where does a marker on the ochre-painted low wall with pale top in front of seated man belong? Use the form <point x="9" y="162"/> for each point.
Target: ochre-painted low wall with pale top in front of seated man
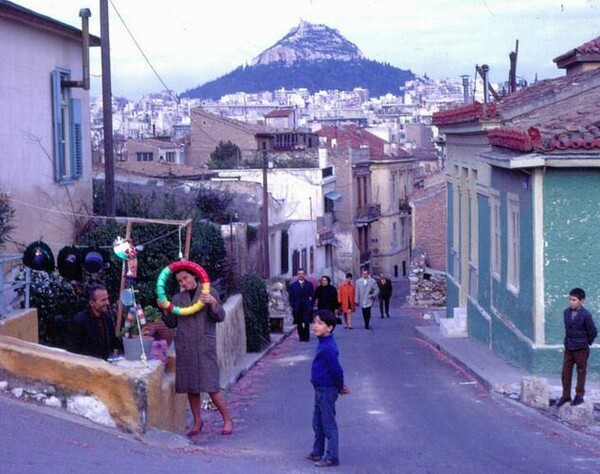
<point x="136" y="396"/>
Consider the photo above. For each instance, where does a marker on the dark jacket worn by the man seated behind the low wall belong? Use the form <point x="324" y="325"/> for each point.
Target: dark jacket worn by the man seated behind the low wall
<point x="85" y="336"/>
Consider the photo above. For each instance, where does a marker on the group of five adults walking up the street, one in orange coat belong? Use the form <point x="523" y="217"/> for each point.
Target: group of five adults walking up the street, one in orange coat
<point x="305" y="300"/>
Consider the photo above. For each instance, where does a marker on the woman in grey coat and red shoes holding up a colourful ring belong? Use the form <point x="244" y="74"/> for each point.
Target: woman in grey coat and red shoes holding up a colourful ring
<point x="196" y="368"/>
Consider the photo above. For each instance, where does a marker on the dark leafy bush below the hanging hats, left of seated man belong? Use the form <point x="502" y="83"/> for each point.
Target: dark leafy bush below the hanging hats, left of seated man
<point x="56" y="302"/>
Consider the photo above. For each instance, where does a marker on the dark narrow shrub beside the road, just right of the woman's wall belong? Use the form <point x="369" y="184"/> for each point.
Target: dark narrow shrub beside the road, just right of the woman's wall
<point x="256" y="312"/>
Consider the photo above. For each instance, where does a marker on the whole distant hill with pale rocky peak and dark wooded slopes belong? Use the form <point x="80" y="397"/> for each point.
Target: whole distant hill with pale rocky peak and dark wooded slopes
<point x="311" y="56"/>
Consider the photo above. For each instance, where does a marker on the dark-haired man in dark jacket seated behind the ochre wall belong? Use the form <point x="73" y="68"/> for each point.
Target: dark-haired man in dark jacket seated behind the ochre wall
<point x="92" y="330"/>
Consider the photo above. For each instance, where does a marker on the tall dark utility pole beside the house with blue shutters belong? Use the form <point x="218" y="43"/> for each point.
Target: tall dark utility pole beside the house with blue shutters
<point x="109" y="162"/>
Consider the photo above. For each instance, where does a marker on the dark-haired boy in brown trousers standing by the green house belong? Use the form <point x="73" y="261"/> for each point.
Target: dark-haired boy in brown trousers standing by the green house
<point x="580" y="332"/>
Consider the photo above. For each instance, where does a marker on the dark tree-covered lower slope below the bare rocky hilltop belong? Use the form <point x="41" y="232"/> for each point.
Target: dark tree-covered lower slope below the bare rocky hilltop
<point x="378" y="78"/>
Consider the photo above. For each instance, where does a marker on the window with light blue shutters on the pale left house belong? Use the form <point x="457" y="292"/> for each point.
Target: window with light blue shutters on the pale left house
<point x="67" y="121"/>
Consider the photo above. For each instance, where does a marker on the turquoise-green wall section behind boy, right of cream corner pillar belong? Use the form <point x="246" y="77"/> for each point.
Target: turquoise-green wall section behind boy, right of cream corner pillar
<point x="572" y="243"/>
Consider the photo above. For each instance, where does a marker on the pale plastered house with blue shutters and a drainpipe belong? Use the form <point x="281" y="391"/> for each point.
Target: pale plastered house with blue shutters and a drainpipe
<point x="45" y="149"/>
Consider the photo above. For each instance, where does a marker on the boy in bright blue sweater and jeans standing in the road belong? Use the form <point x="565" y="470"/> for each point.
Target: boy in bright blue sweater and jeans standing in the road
<point x="327" y="377"/>
